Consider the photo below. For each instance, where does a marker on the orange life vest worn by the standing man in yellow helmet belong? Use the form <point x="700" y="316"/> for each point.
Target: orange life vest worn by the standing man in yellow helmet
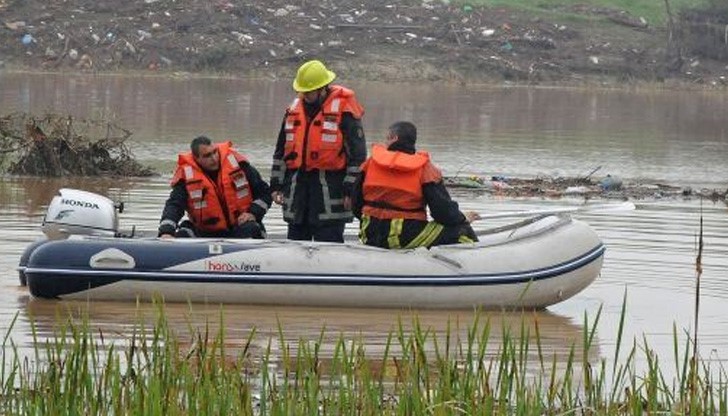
<point x="320" y="140"/>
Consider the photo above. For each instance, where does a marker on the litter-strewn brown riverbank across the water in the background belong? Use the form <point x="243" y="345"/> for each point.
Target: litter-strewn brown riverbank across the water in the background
<point x="410" y="41"/>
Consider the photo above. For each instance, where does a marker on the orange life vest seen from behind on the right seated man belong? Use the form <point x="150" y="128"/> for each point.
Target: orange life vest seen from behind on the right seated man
<point x="393" y="184"/>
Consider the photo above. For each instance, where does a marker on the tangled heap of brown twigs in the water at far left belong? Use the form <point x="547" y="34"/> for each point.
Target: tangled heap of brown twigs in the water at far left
<point x="58" y="145"/>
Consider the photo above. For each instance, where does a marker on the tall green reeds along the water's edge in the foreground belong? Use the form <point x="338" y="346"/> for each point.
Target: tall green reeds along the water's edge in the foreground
<point x="77" y="371"/>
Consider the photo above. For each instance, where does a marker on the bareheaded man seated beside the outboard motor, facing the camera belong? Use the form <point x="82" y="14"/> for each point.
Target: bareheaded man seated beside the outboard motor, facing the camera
<point x="221" y="192"/>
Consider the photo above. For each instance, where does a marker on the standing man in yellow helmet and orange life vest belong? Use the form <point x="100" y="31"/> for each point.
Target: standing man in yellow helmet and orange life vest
<point x="319" y="150"/>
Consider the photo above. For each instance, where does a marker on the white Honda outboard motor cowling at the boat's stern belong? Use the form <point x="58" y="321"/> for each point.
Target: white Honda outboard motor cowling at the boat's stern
<point x="76" y="212"/>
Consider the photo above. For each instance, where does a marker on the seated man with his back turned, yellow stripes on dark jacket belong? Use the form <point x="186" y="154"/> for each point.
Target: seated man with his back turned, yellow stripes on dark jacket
<point x="397" y="185"/>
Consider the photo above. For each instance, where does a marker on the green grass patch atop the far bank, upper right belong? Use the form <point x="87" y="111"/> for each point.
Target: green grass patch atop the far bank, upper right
<point x="652" y="10"/>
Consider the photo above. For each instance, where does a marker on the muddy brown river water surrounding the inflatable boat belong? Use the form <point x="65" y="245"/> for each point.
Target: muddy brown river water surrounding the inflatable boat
<point x="679" y="138"/>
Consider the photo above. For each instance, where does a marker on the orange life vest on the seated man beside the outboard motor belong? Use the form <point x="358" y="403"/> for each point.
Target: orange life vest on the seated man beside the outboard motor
<point x="215" y="206"/>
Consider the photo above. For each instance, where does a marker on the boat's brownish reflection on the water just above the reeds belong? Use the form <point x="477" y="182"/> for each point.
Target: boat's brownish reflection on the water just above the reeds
<point x="543" y="334"/>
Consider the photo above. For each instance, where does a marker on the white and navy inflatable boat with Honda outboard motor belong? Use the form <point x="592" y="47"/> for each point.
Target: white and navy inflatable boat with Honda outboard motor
<point x="532" y="263"/>
